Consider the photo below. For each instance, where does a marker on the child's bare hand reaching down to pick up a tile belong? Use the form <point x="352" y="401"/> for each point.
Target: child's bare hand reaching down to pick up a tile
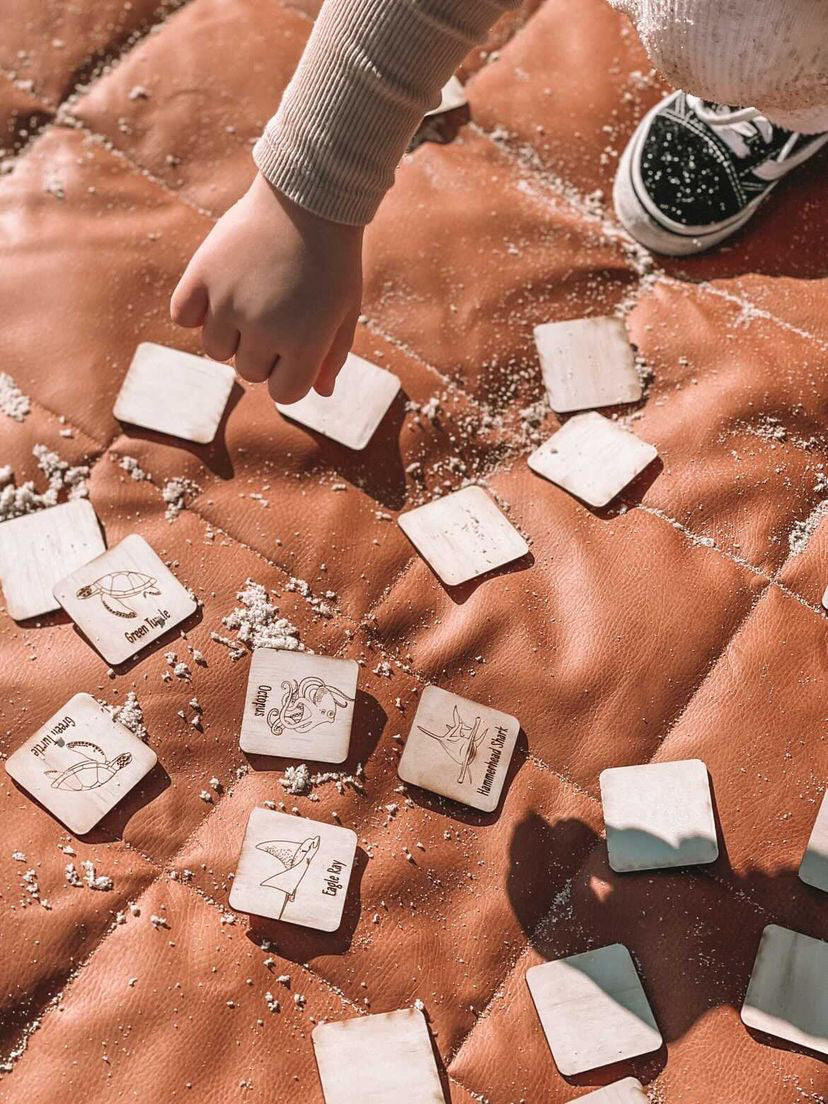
<point x="278" y="288"/>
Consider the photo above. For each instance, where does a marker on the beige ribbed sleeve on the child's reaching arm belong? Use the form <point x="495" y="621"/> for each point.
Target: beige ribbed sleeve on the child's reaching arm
<point x="370" y="72"/>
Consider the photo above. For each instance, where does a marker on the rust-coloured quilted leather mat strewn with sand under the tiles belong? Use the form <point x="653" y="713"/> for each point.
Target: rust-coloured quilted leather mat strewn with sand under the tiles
<point x="683" y="621"/>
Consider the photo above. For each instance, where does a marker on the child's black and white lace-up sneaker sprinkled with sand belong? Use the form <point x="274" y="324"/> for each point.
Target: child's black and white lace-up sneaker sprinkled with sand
<point x="695" y="173"/>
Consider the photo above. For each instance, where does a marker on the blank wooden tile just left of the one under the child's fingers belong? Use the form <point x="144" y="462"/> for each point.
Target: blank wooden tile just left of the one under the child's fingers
<point x="175" y="392"/>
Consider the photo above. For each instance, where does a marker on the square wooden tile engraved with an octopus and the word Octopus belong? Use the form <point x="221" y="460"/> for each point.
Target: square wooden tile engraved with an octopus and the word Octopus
<point x="300" y="706"/>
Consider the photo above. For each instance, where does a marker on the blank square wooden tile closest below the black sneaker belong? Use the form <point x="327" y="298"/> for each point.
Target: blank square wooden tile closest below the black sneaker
<point x="588" y="363"/>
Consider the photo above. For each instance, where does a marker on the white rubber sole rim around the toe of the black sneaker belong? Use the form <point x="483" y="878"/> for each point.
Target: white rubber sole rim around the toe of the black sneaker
<point x="640" y="224"/>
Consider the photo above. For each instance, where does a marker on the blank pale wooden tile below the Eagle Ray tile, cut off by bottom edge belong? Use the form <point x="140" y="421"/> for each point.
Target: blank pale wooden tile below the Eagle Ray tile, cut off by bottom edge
<point x="378" y="1059"/>
